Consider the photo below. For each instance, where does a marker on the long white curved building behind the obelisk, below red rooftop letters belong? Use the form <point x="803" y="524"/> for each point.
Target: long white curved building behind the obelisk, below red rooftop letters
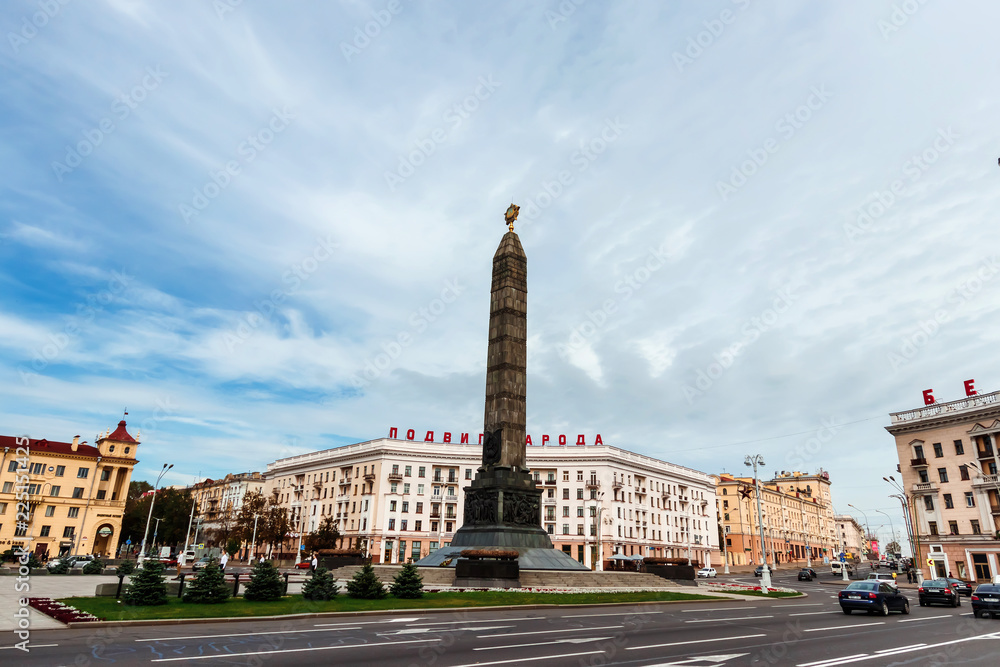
<point x="402" y="499"/>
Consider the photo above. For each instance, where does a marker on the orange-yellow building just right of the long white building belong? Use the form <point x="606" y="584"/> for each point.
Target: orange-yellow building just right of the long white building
<point x="797" y="516"/>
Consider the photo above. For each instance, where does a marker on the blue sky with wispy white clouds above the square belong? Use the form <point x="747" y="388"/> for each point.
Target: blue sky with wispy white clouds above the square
<point x="266" y="229"/>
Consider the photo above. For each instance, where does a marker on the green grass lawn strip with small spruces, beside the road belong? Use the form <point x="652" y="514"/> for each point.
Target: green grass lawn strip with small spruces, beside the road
<point x="110" y="609"/>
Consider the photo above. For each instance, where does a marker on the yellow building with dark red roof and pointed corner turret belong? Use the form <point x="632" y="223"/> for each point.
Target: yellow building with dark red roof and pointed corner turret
<point x="75" y="492"/>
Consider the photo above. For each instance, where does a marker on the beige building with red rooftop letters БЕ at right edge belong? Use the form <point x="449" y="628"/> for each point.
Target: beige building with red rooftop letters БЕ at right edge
<point x="948" y="461"/>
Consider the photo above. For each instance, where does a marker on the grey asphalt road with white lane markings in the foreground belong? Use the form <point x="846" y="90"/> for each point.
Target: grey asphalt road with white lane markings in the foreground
<point x="809" y="632"/>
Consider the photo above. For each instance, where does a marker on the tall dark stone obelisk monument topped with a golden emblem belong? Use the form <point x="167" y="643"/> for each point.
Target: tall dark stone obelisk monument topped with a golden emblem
<point x="503" y="503"/>
